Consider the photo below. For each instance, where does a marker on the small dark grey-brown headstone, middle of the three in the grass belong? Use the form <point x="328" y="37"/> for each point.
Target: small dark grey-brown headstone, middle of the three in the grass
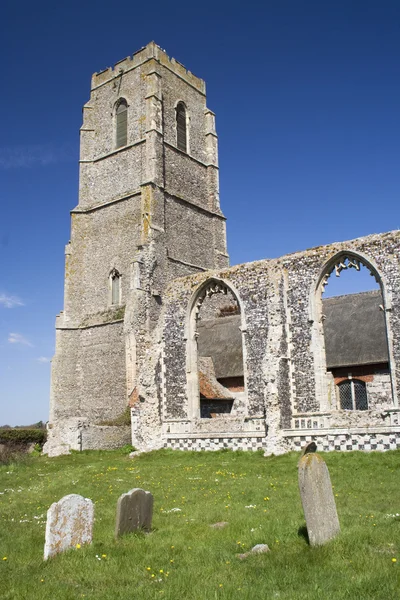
<point x="134" y="512"/>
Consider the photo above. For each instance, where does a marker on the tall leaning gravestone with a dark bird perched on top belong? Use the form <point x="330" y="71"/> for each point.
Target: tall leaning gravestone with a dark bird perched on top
<point x="317" y="498"/>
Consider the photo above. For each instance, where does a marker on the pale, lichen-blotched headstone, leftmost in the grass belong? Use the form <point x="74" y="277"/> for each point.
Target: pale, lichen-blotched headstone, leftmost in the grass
<point x="69" y="523"/>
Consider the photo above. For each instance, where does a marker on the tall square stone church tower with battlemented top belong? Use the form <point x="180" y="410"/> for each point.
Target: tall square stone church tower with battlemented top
<point x="148" y="213"/>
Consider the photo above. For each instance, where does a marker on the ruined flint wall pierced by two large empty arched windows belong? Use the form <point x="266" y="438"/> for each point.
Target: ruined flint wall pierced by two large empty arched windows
<point x="280" y="347"/>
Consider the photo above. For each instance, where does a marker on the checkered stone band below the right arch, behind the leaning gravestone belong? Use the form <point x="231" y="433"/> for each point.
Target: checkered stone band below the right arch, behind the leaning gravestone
<point x="346" y="441"/>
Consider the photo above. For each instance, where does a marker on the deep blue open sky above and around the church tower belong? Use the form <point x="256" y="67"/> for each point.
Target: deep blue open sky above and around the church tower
<point x="307" y="98"/>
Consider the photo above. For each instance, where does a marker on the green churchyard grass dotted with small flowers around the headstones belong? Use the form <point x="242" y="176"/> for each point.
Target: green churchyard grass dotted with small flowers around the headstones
<point x="183" y="558"/>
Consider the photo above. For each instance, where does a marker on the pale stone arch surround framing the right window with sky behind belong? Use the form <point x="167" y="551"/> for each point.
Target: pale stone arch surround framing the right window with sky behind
<point x="345" y="259"/>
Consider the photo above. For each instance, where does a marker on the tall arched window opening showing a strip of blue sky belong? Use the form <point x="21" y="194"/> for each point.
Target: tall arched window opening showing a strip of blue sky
<point x="352" y="330"/>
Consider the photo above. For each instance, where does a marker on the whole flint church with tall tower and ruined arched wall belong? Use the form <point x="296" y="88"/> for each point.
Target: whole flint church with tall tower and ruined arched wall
<point x="156" y="325"/>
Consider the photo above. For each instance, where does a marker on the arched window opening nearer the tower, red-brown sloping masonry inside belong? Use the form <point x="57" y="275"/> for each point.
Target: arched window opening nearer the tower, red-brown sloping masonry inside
<point x="218" y="370"/>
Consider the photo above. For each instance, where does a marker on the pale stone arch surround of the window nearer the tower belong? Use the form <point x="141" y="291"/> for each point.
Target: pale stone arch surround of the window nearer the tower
<point x="207" y="289"/>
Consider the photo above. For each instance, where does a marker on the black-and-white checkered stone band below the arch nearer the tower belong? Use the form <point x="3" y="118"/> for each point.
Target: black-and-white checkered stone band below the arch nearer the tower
<point x="244" y="443"/>
